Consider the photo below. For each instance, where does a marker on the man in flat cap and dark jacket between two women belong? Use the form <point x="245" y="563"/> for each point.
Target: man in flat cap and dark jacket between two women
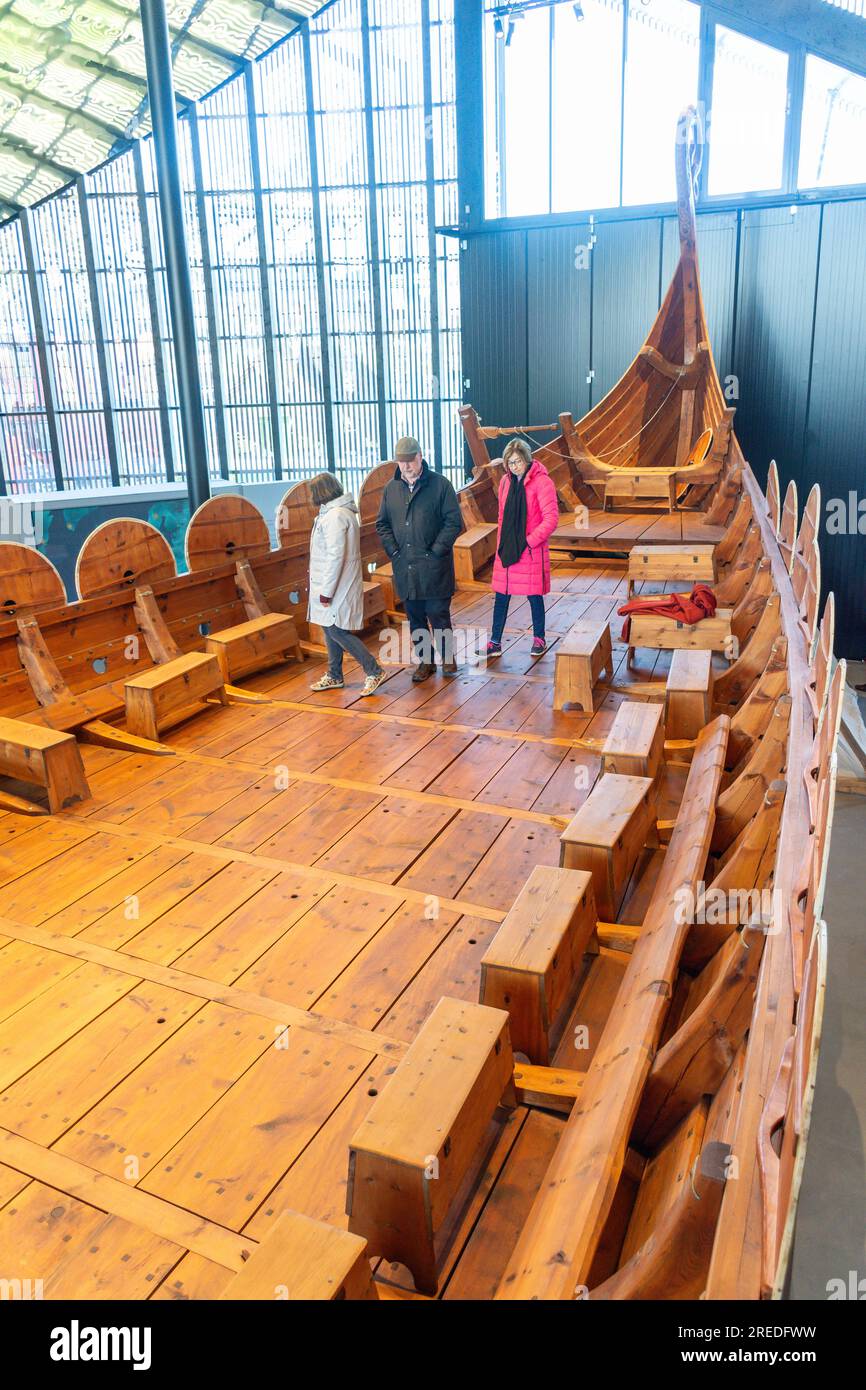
<point x="419" y="523"/>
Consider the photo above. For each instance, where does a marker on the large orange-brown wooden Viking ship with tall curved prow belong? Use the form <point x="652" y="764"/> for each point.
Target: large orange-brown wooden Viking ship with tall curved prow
<point x="497" y="988"/>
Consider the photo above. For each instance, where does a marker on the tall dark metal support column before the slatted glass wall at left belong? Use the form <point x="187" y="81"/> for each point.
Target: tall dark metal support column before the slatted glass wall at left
<point x="161" y="87"/>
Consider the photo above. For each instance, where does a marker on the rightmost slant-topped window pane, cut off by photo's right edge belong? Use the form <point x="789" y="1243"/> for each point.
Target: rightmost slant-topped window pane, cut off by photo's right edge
<point x="833" y="140"/>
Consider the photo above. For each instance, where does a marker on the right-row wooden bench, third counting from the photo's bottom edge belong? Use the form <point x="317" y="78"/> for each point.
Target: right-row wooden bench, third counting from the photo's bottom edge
<point x="533" y="967"/>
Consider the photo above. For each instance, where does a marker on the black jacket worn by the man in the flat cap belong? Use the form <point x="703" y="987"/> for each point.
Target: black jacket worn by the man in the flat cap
<point x="418" y="532"/>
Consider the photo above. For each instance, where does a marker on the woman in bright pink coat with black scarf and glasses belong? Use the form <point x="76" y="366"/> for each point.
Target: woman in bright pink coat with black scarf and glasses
<point x="529" y="512"/>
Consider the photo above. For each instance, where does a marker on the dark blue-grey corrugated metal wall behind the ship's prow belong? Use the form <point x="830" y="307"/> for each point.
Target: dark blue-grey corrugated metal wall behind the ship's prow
<point x="786" y="302"/>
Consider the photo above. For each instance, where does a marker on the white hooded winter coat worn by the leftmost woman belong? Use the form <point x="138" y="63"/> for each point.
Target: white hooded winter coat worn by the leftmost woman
<point x="336" y="566"/>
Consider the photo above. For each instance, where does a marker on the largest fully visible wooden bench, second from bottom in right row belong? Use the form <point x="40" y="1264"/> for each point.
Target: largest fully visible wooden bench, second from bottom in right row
<point x="411" y="1156"/>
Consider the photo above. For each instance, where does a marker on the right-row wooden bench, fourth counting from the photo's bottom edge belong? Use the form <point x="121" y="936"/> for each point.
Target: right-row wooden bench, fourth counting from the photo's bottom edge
<point x="608" y="835"/>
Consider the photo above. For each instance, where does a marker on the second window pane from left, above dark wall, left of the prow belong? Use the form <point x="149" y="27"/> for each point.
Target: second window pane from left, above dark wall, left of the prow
<point x="587" y="106"/>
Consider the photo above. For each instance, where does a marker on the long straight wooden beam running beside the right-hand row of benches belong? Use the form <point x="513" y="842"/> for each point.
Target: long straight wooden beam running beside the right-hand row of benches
<point x="555" y="1252"/>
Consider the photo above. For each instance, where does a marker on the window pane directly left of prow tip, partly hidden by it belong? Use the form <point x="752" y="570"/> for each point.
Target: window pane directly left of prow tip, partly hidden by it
<point x="661" y="80"/>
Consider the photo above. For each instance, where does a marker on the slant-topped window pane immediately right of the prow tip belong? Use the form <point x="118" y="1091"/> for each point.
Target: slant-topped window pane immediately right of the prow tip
<point x="749" y="115"/>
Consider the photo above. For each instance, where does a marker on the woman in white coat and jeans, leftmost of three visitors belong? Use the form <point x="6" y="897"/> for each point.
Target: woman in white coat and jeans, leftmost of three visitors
<point x="337" y="586"/>
